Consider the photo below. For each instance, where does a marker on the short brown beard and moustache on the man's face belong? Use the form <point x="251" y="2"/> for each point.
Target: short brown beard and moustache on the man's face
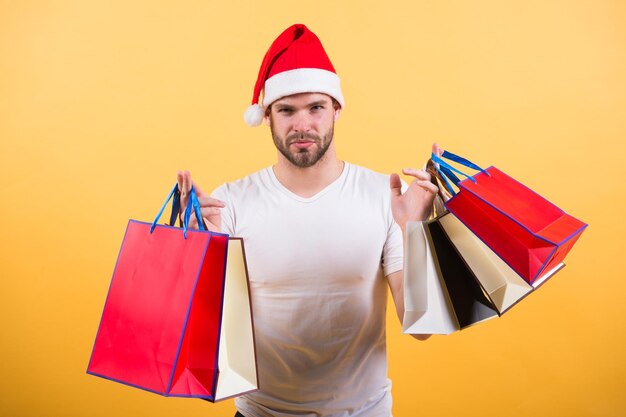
<point x="304" y="158"/>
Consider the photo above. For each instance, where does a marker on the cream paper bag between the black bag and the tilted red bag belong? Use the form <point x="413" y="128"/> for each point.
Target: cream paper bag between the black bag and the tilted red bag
<point x="502" y="285"/>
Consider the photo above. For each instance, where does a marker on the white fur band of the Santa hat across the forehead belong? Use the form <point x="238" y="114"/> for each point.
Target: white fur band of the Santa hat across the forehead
<point x="302" y="80"/>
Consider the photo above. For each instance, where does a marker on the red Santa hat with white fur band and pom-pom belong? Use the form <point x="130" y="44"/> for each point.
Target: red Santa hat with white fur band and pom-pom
<point x="295" y="63"/>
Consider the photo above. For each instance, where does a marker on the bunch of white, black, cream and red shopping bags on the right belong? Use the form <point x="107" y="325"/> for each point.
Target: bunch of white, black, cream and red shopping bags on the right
<point x="495" y="242"/>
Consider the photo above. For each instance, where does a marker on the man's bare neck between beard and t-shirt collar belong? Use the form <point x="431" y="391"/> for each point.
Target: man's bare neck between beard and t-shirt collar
<point x="306" y="182"/>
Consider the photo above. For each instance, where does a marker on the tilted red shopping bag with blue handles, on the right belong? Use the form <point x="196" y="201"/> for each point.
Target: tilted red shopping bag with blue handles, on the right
<point x="528" y="232"/>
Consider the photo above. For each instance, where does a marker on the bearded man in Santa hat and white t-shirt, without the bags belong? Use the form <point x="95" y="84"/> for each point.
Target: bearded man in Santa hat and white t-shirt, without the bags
<point x="323" y="240"/>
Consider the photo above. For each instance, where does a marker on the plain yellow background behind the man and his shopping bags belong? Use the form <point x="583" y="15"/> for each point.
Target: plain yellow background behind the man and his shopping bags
<point x="102" y="101"/>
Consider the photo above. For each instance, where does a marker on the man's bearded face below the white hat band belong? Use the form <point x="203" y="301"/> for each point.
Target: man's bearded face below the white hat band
<point x="302" y="127"/>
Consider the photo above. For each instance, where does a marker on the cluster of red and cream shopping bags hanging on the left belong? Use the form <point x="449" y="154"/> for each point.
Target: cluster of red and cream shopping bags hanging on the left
<point x="177" y="319"/>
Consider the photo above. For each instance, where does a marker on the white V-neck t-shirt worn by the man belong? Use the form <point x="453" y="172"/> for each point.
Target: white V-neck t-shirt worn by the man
<point x="319" y="296"/>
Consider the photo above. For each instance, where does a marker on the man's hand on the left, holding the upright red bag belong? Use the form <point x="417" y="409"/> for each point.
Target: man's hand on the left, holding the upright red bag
<point x="209" y="207"/>
